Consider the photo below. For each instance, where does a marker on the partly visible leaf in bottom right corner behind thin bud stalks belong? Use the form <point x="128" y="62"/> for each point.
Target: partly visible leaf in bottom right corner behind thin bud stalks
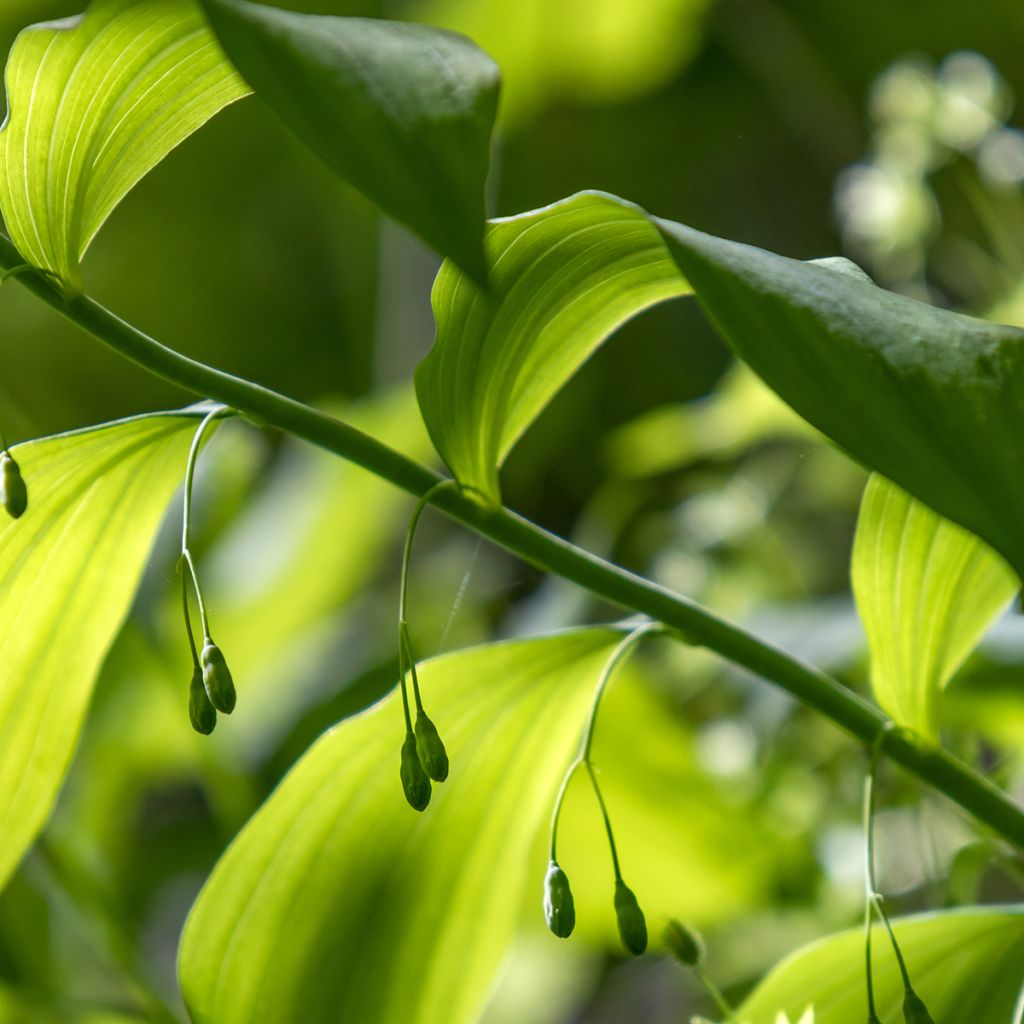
<point x="968" y="966"/>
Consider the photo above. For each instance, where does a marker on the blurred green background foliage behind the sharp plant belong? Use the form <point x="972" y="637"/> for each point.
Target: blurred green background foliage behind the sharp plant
<point x="879" y="131"/>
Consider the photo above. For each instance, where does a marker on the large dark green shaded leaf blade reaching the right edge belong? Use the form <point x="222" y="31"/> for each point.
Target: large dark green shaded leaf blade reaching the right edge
<point x="928" y="398"/>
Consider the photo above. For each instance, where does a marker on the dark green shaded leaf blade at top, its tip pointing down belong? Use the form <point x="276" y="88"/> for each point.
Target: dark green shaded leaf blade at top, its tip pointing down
<point x="402" y="112"/>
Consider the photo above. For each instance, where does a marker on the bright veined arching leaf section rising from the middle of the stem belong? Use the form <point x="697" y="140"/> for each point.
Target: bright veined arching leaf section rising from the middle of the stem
<point x="563" y="279"/>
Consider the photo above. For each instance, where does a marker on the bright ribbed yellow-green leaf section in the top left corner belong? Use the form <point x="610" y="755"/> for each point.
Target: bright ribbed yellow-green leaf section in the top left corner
<point x="95" y="103"/>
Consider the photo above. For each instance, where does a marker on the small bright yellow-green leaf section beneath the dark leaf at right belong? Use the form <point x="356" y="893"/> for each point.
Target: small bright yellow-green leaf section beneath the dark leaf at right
<point x="926" y="590"/>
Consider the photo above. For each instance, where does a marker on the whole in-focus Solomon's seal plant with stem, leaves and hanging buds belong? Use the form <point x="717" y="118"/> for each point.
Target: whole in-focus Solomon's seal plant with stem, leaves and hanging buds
<point x="333" y="904"/>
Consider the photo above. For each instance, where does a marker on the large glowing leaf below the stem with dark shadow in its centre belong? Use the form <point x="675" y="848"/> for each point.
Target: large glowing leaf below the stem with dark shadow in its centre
<point x="337" y="903"/>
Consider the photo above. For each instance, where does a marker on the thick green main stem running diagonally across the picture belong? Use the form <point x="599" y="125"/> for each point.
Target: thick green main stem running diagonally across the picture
<point x="545" y="551"/>
